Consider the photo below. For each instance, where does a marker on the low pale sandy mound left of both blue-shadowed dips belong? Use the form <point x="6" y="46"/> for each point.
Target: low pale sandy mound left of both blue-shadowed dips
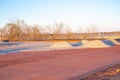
<point x="62" y="44"/>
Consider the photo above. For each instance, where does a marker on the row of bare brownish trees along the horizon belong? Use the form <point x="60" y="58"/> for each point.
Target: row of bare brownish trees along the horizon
<point x="20" y="31"/>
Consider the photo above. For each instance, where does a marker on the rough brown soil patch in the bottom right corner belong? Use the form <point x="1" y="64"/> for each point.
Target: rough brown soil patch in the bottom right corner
<point x="111" y="73"/>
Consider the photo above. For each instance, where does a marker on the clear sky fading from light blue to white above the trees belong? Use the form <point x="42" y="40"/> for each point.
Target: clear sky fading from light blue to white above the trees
<point x="105" y="14"/>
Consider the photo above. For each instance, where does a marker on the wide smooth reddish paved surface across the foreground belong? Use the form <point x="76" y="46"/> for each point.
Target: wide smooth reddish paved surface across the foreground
<point x="55" y="65"/>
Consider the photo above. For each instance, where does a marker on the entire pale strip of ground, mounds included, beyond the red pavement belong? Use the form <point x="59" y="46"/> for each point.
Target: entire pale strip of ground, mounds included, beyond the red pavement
<point x="10" y="47"/>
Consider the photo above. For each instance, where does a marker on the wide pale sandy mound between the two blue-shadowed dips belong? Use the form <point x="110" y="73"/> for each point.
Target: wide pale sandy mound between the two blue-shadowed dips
<point x="94" y="44"/>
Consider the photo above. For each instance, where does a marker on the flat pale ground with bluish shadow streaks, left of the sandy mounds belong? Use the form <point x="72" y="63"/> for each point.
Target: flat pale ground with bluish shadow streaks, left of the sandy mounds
<point x="8" y="47"/>
